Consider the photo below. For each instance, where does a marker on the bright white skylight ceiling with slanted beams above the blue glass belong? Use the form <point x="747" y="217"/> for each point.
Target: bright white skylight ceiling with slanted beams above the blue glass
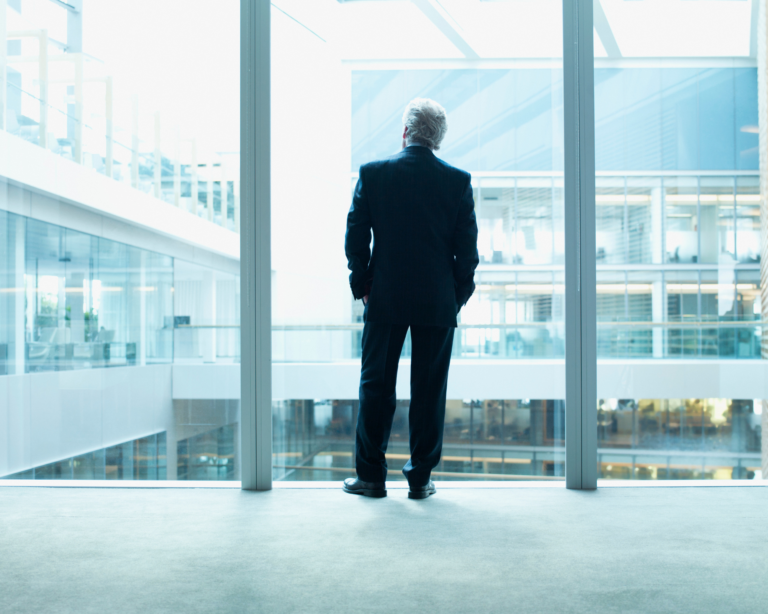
<point x="526" y="29"/>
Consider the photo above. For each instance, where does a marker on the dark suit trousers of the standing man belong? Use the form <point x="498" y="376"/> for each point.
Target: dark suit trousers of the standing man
<point x="430" y="359"/>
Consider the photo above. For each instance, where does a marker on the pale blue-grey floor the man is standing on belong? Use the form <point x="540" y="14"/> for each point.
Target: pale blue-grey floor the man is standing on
<point x="520" y="550"/>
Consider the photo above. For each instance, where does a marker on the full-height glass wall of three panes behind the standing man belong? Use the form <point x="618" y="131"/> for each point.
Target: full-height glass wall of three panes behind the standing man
<point x="120" y="213"/>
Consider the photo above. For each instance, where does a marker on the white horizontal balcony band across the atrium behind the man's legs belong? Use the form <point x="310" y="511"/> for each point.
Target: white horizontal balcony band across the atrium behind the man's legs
<point x="492" y="379"/>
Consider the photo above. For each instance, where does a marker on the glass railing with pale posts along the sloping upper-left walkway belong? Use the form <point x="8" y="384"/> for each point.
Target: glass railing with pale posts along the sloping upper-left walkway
<point x="53" y="113"/>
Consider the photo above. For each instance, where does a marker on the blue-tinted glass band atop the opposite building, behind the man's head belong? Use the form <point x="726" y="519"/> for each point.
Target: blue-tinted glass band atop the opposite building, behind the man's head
<point x="511" y="120"/>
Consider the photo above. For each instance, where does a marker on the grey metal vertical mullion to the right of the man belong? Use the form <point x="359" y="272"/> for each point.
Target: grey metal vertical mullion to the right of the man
<point x="580" y="275"/>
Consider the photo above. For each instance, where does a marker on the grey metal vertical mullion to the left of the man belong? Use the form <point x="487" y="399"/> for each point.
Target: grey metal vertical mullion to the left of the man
<point x="255" y="272"/>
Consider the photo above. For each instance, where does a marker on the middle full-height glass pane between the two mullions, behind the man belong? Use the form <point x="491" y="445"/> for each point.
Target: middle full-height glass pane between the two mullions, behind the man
<point x="505" y="128"/>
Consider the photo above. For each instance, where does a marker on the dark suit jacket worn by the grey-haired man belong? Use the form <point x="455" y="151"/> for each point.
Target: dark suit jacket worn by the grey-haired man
<point x="421" y="212"/>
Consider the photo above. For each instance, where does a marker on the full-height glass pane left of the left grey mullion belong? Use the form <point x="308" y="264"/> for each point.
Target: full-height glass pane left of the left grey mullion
<point x="119" y="247"/>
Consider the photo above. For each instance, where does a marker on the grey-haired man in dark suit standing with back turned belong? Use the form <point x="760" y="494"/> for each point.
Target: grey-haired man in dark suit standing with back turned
<point x="418" y="276"/>
